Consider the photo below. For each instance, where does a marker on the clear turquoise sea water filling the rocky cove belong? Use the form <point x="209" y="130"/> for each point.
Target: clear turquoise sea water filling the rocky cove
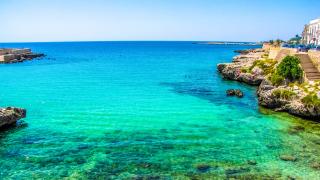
<point x="143" y="109"/>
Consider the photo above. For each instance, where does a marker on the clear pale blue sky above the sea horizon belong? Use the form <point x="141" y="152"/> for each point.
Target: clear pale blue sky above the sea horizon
<point x="109" y="20"/>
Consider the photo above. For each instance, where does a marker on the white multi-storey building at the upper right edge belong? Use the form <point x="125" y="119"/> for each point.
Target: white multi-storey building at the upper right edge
<point x="311" y="33"/>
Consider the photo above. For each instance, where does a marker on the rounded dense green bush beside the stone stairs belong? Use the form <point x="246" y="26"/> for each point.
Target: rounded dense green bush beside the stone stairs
<point x="290" y="69"/>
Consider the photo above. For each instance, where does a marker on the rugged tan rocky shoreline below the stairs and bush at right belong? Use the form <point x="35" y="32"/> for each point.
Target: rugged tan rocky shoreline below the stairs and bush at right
<point x="270" y="96"/>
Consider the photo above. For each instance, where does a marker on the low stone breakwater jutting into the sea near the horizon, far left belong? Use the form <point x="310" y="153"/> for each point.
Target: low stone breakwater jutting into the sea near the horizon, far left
<point x="14" y="55"/>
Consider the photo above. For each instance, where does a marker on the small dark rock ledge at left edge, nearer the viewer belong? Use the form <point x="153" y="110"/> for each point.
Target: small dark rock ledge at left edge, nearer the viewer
<point x="10" y="115"/>
